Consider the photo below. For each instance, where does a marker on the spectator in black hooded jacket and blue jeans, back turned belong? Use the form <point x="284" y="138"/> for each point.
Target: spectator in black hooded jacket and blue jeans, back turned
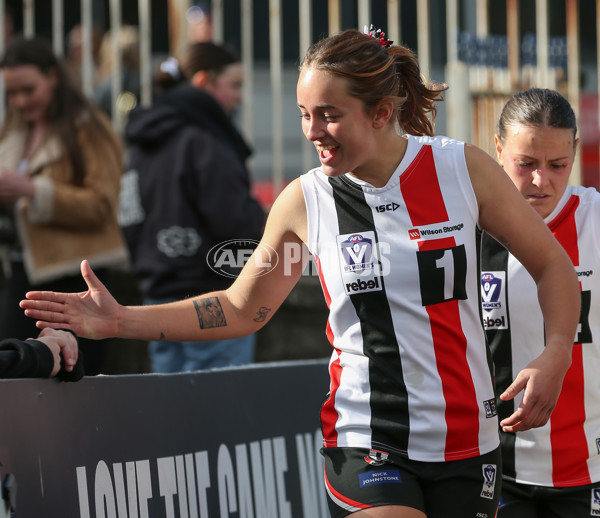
<point x="186" y="206"/>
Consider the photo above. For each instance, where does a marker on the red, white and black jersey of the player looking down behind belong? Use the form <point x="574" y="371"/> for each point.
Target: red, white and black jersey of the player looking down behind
<point x="566" y="451"/>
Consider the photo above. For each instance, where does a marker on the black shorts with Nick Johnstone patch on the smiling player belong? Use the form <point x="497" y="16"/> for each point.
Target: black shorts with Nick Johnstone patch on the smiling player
<point x="357" y="479"/>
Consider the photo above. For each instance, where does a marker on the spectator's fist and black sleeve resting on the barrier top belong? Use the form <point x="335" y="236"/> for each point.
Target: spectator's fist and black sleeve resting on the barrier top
<point x="53" y="353"/>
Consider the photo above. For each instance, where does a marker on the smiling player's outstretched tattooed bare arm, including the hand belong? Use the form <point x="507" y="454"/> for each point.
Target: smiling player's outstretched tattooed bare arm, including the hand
<point x="241" y="309"/>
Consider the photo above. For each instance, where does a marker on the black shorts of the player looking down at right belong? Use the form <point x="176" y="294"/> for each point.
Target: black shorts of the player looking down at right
<point x="527" y="501"/>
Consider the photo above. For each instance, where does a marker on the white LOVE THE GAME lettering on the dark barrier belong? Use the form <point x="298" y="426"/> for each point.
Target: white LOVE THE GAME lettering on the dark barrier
<point x="253" y="484"/>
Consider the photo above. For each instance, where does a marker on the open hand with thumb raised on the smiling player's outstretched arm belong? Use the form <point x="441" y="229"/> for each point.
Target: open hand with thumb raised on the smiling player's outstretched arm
<point x="90" y="314"/>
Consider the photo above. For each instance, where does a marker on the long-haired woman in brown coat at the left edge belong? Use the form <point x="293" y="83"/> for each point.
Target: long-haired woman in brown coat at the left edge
<point x="60" y="167"/>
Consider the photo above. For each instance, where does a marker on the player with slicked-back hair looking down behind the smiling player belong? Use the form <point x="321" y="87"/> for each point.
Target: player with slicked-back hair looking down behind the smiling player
<point x="552" y="471"/>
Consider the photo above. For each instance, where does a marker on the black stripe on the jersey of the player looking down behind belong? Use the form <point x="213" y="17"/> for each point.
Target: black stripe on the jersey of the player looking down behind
<point x="494" y="257"/>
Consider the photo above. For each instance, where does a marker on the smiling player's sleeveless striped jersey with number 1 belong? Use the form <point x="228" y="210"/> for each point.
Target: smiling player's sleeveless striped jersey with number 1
<point x="410" y="373"/>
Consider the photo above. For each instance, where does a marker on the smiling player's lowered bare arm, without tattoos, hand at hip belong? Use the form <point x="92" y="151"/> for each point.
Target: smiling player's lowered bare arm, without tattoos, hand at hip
<point x="505" y="215"/>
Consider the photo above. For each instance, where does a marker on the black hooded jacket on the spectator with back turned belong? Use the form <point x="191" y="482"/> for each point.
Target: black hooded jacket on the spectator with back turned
<point x="186" y="189"/>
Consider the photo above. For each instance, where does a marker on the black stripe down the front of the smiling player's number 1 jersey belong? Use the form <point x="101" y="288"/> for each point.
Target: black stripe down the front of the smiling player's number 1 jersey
<point x="389" y="398"/>
